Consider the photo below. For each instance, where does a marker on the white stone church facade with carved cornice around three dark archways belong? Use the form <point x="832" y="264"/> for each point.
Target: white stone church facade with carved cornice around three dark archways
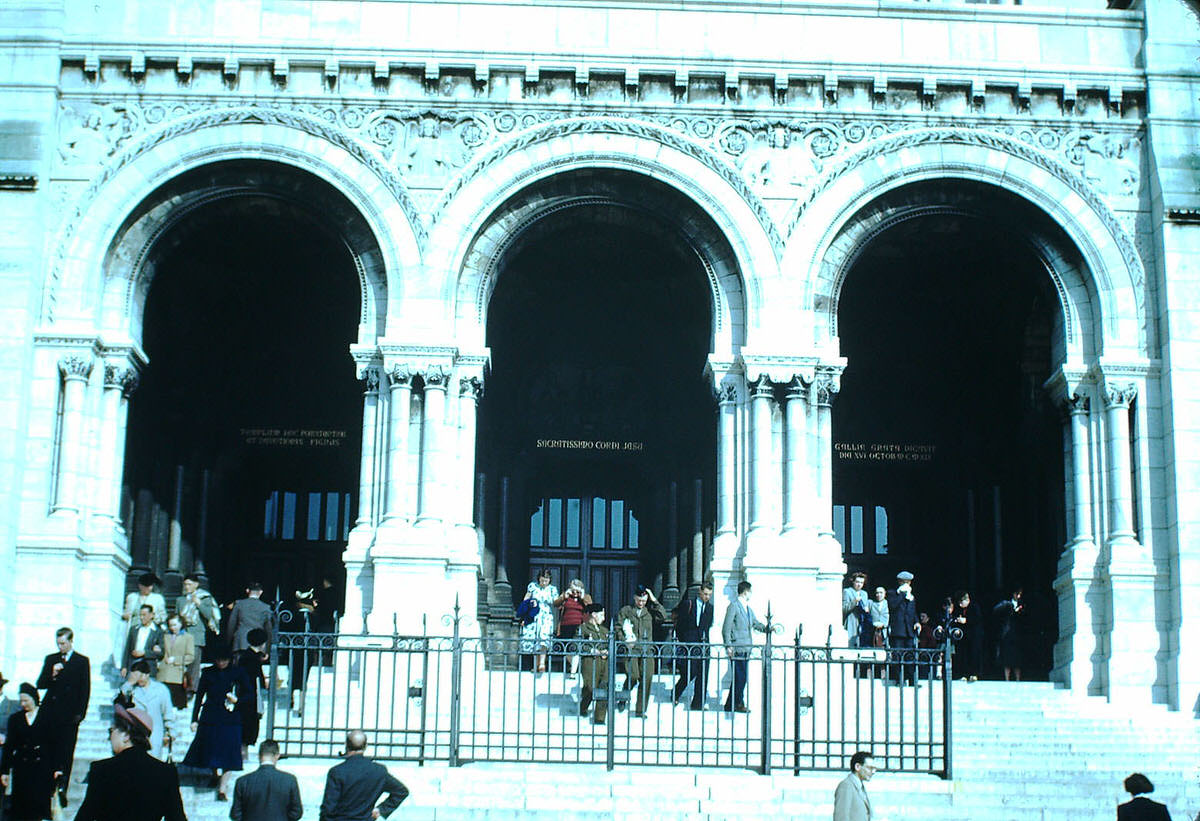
<point x="784" y="123"/>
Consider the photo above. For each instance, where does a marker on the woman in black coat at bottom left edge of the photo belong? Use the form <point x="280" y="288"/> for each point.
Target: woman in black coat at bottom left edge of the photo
<point x="26" y="766"/>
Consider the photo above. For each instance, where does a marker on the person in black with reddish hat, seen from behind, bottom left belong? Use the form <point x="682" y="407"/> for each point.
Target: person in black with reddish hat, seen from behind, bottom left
<point x="133" y="786"/>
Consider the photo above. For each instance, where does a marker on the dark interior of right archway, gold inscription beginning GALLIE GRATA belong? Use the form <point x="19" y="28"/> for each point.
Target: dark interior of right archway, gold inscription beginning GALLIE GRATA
<point x="949" y="452"/>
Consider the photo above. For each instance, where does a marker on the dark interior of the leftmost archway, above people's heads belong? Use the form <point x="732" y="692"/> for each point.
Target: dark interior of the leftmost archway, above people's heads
<point x="247" y="428"/>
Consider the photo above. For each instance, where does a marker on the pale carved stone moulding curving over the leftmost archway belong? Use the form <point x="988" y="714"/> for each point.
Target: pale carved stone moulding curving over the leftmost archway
<point x="81" y="283"/>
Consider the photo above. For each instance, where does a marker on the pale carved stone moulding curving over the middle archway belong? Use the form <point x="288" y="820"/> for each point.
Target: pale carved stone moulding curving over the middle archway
<point x="470" y="226"/>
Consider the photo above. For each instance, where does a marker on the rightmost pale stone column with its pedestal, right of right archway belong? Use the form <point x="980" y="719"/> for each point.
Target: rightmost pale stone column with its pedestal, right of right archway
<point x="1135" y="636"/>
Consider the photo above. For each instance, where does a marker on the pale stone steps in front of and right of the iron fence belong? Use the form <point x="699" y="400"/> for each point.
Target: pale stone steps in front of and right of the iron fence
<point x="1022" y="753"/>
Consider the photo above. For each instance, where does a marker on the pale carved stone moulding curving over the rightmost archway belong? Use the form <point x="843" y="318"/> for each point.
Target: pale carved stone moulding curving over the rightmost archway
<point x="1108" y="290"/>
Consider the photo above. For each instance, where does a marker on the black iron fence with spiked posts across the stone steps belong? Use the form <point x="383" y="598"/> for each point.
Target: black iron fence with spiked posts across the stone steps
<point x="463" y="699"/>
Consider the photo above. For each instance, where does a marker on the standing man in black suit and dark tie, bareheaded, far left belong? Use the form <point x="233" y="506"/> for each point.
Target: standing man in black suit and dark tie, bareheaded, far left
<point x="67" y="679"/>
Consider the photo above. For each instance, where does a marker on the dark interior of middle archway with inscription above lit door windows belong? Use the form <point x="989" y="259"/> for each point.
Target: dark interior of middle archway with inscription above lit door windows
<point x="598" y="423"/>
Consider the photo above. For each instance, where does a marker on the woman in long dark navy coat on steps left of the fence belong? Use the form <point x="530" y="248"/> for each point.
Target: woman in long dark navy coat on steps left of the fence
<point x="217" y="721"/>
